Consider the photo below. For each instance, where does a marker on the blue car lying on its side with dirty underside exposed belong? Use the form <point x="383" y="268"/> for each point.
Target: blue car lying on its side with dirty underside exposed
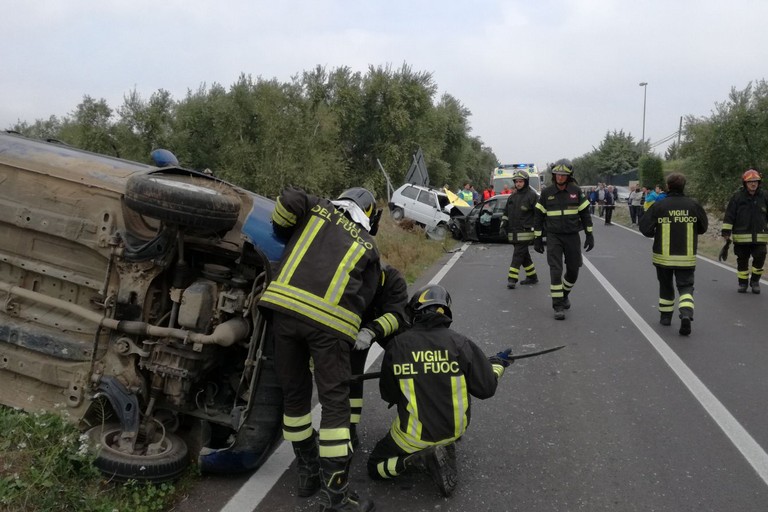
<point x="128" y="300"/>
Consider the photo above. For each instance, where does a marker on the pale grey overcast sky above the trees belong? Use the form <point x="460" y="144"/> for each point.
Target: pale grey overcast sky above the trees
<point x="544" y="79"/>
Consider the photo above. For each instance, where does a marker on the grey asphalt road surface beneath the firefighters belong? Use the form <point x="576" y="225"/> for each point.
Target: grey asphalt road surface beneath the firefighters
<point x="630" y="416"/>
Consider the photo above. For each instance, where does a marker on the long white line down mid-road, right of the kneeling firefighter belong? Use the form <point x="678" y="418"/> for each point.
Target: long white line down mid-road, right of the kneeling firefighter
<point x="738" y="435"/>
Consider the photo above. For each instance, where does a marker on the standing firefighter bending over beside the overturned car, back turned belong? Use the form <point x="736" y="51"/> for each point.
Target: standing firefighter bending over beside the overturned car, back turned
<point x="326" y="281"/>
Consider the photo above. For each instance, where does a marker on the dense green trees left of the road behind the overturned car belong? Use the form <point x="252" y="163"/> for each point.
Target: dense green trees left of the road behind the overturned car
<point x="325" y="130"/>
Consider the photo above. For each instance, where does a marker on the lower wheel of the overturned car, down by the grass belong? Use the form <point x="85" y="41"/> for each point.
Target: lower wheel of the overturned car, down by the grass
<point x="168" y="463"/>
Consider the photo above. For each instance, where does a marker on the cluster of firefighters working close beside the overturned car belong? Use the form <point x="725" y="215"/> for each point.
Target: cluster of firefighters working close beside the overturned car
<point x="331" y="298"/>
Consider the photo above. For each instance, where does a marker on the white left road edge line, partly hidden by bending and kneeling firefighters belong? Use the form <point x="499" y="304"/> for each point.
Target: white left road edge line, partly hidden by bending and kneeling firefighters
<point x="261" y="482"/>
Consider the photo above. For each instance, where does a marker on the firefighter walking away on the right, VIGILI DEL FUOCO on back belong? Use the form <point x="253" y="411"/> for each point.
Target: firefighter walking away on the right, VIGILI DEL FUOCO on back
<point x="675" y="223"/>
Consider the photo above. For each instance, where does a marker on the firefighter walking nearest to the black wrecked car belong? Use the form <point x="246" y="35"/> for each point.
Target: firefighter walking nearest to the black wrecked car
<point x="517" y="221"/>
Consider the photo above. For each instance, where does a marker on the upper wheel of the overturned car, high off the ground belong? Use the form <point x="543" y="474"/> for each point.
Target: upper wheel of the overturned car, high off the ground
<point x="184" y="200"/>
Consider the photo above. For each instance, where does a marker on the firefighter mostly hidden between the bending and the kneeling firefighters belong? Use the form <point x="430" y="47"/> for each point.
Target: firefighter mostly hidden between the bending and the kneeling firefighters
<point x="384" y="317"/>
